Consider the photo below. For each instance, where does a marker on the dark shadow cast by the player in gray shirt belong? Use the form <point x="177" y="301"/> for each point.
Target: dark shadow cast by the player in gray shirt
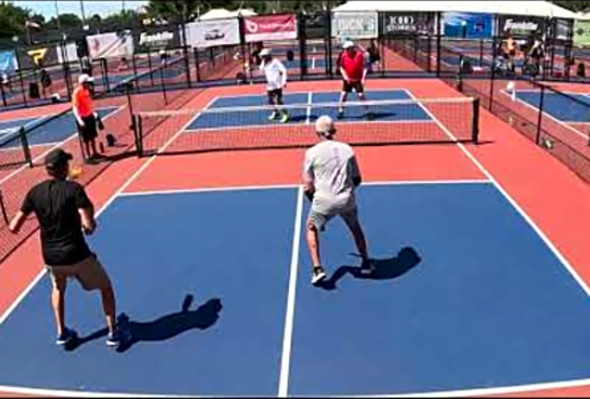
<point x="385" y="269"/>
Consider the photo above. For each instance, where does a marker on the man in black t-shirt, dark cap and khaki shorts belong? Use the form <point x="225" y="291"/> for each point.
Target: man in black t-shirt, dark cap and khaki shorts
<point x="65" y="214"/>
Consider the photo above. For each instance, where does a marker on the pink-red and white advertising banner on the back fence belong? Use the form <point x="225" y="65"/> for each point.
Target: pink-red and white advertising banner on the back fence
<point x="270" y="27"/>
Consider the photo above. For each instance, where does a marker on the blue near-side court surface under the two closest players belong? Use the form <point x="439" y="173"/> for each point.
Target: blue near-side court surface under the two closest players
<point x="466" y="295"/>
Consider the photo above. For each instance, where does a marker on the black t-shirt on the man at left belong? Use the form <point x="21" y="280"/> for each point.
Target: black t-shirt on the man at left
<point x="56" y="204"/>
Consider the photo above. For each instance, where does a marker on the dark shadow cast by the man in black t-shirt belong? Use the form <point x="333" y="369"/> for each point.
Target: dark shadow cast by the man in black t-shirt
<point x="161" y="329"/>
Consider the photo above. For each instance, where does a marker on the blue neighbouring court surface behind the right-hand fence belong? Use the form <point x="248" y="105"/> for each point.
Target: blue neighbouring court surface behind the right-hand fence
<point x="573" y="109"/>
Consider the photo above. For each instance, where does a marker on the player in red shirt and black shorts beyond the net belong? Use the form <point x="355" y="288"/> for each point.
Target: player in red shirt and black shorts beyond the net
<point x="354" y="72"/>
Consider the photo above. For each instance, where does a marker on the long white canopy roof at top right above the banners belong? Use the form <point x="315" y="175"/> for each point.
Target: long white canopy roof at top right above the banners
<point x="530" y="8"/>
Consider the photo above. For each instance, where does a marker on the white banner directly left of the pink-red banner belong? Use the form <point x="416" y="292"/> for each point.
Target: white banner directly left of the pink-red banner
<point x="215" y="32"/>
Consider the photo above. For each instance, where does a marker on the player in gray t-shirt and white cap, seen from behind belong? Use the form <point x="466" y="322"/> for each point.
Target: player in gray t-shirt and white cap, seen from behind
<point x="331" y="175"/>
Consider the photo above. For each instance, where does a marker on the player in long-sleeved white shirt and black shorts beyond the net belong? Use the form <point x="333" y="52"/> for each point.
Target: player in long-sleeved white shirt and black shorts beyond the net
<point x="276" y="80"/>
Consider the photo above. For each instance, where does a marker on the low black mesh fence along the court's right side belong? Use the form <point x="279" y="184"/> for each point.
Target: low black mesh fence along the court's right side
<point x="543" y="112"/>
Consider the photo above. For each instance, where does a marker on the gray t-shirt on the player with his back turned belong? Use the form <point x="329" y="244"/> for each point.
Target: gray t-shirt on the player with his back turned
<point x="332" y="166"/>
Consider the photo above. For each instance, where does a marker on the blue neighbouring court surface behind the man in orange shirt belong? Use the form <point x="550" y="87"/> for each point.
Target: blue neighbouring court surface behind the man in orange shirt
<point x="52" y="132"/>
